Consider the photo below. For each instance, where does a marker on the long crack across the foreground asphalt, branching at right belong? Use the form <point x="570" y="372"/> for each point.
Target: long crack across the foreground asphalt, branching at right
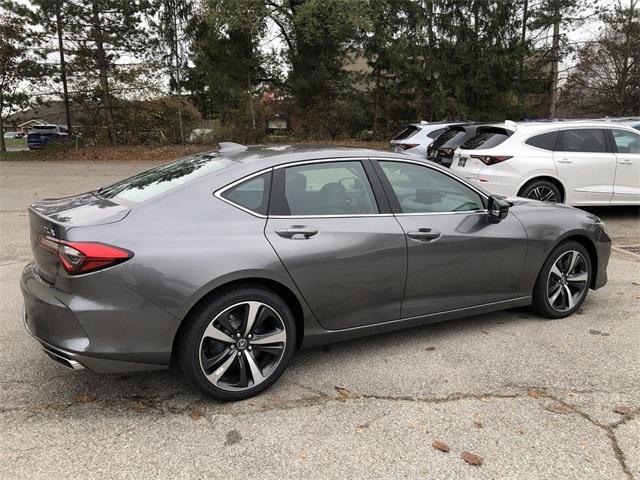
<point x="158" y="405"/>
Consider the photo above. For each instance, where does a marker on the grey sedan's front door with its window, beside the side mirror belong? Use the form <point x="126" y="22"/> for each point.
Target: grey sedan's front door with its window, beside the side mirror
<point x="456" y="258"/>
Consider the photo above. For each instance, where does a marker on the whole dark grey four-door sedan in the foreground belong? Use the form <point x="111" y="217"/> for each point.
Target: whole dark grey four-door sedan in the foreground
<point x="226" y="262"/>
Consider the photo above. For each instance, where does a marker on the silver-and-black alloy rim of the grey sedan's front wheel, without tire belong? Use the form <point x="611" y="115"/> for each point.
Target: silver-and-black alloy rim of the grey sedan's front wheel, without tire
<point x="567" y="281"/>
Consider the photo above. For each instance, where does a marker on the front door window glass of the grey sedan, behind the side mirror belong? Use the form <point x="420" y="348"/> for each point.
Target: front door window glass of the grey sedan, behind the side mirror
<point x="425" y="190"/>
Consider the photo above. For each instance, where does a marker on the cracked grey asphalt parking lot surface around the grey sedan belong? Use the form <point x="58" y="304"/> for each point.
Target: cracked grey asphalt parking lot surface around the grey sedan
<point x="533" y="398"/>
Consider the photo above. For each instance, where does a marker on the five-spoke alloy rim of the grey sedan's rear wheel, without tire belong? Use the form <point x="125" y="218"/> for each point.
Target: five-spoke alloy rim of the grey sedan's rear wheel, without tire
<point x="242" y="346"/>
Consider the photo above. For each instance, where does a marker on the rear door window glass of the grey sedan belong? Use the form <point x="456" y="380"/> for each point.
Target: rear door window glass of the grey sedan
<point x="332" y="188"/>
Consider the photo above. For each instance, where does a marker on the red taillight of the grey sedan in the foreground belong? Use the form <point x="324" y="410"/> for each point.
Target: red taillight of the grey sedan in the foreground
<point x="84" y="257"/>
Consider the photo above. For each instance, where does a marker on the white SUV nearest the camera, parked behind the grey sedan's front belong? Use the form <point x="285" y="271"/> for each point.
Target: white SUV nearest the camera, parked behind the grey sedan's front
<point x="575" y="162"/>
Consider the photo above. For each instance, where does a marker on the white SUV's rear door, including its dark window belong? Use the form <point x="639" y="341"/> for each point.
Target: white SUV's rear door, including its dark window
<point x="586" y="166"/>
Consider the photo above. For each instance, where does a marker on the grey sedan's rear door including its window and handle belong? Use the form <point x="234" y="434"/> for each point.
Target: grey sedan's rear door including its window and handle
<point x="339" y="242"/>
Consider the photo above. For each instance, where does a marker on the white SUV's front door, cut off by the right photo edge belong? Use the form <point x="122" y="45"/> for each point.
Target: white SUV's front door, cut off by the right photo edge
<point x="626" y="188"/>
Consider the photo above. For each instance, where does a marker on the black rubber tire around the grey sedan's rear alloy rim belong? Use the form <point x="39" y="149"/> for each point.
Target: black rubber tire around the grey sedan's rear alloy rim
<point x="191" y="344"/>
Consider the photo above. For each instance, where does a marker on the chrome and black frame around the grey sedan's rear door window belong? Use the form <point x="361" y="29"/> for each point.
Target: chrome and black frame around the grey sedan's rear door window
<point x="384" y="209"/>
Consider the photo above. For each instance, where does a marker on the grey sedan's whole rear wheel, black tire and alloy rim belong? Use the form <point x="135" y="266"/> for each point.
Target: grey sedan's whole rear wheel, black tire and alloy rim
<point x="238" y="344"/>
